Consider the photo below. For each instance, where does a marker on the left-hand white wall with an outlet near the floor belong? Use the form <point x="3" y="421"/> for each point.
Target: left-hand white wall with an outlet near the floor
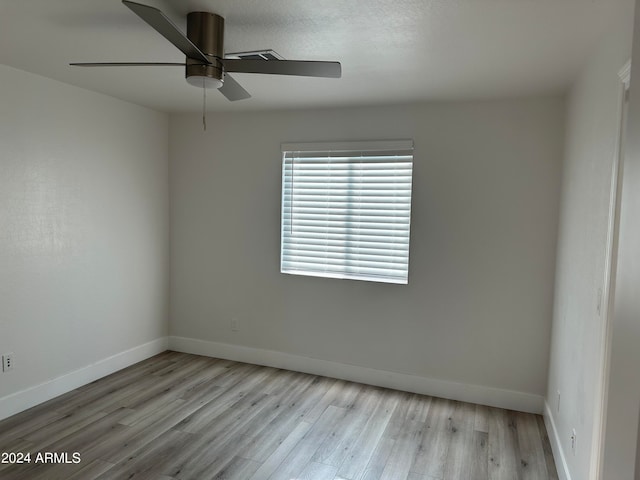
<point x="83" y="234"/>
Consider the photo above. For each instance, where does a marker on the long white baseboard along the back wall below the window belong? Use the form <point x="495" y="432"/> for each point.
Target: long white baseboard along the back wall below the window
<point x="524" y="402"/>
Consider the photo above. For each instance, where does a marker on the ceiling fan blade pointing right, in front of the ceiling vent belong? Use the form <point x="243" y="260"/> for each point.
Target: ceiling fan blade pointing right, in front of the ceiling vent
<point x="284" y="67"/>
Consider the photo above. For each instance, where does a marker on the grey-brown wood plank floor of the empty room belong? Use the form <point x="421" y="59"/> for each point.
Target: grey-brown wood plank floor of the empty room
<point x="179" y="416"/>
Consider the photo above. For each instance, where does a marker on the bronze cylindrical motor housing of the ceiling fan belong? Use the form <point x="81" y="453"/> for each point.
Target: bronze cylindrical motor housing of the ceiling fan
<point x="206" y="31"/>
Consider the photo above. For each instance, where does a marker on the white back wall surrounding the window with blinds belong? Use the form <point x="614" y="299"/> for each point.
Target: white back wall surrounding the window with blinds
<point x="477" y="309"/>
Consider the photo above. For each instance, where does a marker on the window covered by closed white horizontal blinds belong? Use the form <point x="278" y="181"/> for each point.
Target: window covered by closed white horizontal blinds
<point x="346" y="210"/>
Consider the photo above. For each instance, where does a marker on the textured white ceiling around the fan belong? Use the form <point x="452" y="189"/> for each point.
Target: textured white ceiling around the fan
<point x="391" y="51"/>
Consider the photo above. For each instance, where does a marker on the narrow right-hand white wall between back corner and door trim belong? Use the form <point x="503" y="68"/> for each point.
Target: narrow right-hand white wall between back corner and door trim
<point x="592" y="134"/>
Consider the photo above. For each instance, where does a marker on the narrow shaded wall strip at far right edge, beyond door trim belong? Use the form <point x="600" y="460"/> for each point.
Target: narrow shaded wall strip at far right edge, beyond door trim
<point x="621" y="442"/>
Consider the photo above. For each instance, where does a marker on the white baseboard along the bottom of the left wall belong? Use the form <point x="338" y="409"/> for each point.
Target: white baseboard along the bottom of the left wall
<point x="29" y="397"/>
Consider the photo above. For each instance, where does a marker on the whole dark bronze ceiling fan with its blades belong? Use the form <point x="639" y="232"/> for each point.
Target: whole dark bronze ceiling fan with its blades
<point x="206" y="65"/>
